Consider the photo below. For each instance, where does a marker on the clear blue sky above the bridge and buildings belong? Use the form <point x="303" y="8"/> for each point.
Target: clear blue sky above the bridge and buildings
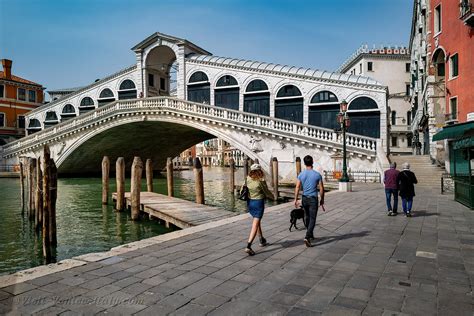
<point x="68" y="43"/>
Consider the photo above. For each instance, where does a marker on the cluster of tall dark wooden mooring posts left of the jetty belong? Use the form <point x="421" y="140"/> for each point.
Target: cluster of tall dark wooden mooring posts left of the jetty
<point x="41" y="179"/>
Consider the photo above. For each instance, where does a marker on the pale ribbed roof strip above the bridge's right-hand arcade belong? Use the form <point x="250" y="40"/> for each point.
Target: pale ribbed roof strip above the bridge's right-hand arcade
<point x="285" y="69"/>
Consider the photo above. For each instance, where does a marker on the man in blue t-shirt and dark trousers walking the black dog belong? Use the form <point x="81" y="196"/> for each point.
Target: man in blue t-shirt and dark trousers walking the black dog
<point x="309" y="179"/>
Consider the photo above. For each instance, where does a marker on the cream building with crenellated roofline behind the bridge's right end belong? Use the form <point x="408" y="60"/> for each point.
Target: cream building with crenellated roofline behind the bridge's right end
<point x="391" y="66"/>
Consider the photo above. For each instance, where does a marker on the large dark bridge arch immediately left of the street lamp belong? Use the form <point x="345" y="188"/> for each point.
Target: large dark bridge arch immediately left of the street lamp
<point x="323" y="109"/>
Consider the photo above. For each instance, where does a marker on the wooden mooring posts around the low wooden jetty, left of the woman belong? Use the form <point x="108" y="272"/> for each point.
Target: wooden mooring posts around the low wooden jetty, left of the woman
<point x="136" y="178"/>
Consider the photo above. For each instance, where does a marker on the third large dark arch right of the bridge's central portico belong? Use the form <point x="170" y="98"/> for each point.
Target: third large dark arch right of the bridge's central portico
<point x="257" y="98"/>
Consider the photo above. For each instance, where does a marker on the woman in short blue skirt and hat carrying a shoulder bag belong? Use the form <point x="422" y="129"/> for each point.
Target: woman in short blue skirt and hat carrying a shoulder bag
<point x="258" y="191"/>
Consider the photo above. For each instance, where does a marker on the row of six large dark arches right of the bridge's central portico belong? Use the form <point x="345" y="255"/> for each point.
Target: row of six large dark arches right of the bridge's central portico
<point x="289" y="103"/>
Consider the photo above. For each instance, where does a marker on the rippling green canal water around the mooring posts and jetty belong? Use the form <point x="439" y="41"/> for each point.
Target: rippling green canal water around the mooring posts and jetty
<point x="84" y="225"/>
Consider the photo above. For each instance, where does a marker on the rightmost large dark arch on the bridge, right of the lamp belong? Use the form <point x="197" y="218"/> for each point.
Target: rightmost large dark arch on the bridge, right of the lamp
<point x="365" y="117"/>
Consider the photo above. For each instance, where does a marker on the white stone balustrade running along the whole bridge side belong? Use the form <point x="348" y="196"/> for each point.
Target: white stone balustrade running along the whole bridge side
<point x="171" y="106"/>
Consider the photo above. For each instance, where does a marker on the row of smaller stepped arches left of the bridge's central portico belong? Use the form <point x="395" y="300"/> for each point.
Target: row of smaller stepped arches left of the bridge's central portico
<point x="127" y="90"/>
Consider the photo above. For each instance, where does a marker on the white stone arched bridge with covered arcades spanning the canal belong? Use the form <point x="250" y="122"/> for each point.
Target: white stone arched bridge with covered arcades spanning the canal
<point x="265" y="110"/>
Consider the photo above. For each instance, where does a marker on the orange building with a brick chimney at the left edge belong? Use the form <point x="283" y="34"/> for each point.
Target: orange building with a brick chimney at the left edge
<point x="18" y="96"/>
